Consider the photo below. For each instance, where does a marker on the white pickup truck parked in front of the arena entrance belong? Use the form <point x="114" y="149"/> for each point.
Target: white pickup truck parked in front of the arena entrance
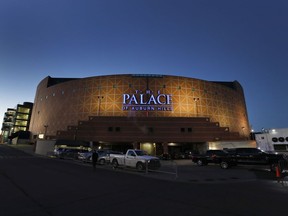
<point x="135" y="158"/>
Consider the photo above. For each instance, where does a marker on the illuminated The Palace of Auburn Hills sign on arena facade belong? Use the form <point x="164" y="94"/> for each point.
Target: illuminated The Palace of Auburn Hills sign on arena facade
<point x="147" y="101"/>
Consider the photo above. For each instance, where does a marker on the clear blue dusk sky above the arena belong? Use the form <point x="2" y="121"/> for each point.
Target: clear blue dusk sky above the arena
<point x="214" y="40"/>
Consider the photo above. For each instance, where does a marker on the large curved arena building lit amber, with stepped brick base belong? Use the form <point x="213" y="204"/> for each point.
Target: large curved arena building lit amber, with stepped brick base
<point x="158" y="113"/>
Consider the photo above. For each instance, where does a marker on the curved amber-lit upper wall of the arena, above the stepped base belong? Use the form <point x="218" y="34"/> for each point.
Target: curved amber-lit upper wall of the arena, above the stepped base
<point x="60" y="103"/>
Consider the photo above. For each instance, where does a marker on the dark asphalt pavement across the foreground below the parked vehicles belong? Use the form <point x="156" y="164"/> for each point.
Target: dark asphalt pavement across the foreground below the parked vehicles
<point x="36" y="185"/>
